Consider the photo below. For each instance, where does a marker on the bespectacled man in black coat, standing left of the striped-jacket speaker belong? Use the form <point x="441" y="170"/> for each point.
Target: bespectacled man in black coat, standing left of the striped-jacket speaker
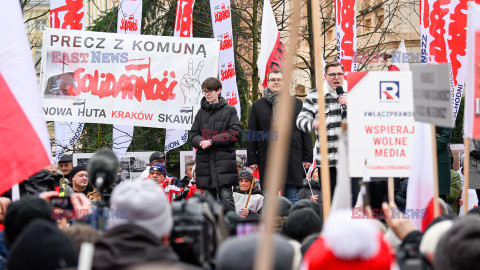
<point x="263" y="112"/>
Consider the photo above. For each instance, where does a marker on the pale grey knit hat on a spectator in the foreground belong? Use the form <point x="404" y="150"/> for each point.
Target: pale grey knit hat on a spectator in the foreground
<point x="146" y="204"/>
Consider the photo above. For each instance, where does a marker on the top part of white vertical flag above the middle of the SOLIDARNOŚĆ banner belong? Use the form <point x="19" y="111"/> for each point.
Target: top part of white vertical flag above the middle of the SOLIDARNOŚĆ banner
<point x="129" y="17"/>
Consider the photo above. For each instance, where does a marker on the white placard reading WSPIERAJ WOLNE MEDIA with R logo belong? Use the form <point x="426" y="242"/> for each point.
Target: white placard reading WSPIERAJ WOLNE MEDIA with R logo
<point x="380" y="123"/>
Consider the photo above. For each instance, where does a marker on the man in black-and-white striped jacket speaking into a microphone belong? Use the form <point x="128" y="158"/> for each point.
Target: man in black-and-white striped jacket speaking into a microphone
<point x="334" y="89"/>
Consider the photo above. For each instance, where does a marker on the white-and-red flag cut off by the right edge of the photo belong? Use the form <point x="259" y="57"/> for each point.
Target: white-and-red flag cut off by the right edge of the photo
<point x="471" y="125"/>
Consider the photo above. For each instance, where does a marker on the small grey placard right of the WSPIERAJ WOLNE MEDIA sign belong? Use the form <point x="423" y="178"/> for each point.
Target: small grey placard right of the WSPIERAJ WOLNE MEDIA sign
<point x="432" y="94"/>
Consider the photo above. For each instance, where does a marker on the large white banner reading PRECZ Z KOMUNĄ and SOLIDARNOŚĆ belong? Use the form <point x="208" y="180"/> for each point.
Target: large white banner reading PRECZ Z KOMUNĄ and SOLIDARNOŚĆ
<point x="108" y="78"/>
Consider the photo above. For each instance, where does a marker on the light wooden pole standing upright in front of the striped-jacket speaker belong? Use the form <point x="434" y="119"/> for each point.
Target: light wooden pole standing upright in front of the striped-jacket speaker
<point x="322" y="128"/>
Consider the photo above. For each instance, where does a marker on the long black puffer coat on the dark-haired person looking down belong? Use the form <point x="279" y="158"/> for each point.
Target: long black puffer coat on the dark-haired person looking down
<point x="216" y="165"/>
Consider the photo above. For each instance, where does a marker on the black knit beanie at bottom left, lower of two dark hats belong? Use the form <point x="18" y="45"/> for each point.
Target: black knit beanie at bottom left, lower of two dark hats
<point x="42" y="246"/>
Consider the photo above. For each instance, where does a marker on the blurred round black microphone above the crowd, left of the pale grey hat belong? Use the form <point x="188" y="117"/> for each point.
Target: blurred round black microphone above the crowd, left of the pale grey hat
<point x="103" y="169"/>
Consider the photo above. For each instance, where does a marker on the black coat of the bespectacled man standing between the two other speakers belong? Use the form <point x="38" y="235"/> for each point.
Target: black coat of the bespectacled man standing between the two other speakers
<point x="301" y="148"/>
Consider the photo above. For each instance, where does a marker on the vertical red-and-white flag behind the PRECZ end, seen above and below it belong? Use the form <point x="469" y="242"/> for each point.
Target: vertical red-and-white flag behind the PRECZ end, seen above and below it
<point x="66" y="14"/>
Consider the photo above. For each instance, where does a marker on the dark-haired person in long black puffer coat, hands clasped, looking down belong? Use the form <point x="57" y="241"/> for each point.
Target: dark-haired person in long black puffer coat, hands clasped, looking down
<point x="214" y="132"/>
